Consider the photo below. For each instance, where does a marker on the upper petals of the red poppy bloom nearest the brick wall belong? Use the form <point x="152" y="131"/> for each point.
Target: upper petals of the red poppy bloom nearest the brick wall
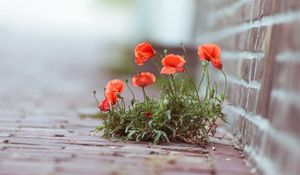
<point x="209" y="52"/>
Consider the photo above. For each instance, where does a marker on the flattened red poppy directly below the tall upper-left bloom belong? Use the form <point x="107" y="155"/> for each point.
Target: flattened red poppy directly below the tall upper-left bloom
<point x="143" y="79"/>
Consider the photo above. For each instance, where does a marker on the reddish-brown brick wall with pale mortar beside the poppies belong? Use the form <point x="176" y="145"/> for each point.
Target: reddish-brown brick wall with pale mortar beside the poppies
<point x="261" y="55"/>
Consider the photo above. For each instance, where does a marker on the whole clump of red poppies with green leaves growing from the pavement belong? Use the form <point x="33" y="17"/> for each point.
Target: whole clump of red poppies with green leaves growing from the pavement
<point x="178" y="114"/>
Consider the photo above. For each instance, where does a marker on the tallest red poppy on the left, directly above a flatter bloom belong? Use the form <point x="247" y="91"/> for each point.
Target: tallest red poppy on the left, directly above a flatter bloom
<point x="143" y="52"/>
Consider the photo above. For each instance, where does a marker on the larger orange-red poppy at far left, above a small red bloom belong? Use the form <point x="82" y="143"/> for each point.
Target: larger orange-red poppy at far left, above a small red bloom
<point x="112" y="88"/>
